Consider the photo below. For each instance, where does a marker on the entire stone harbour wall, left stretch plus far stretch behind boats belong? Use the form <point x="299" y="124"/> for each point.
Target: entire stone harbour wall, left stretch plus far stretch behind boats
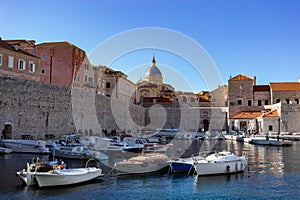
<point x="36" y="109"/>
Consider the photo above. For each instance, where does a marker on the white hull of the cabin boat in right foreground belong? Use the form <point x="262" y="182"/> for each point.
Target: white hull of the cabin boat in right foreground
<point x="211" y="168"/>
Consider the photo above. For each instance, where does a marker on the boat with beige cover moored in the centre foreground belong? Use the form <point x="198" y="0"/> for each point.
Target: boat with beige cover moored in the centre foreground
<point x="143" y="164"/>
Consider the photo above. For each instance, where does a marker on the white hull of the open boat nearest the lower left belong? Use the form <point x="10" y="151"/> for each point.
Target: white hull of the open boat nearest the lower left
<point x="67" y="176"/>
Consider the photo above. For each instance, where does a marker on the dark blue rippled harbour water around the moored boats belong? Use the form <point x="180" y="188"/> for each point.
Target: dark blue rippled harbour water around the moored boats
<point x="274" y="173"/>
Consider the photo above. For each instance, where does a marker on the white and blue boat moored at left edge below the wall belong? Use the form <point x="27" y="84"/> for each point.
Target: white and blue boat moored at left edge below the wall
<point x="26" y="146"/>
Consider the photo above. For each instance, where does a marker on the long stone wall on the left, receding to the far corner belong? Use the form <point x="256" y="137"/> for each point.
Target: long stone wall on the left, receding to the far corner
<point x="35" y="108"/>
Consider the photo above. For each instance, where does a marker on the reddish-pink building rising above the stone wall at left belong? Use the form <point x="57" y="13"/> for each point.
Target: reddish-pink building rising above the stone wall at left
<point x="61" y="62"/>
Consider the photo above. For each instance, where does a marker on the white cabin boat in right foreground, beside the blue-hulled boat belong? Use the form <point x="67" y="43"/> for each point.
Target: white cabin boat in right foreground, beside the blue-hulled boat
<point x="220" y="163"/>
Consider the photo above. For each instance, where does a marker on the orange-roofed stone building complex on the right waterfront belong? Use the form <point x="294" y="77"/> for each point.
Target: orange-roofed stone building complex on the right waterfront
<point x="263" y="108"/>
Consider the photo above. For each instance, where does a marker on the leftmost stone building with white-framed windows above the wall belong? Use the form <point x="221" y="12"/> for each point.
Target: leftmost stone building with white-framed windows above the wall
<point x="16" y="62"/>
